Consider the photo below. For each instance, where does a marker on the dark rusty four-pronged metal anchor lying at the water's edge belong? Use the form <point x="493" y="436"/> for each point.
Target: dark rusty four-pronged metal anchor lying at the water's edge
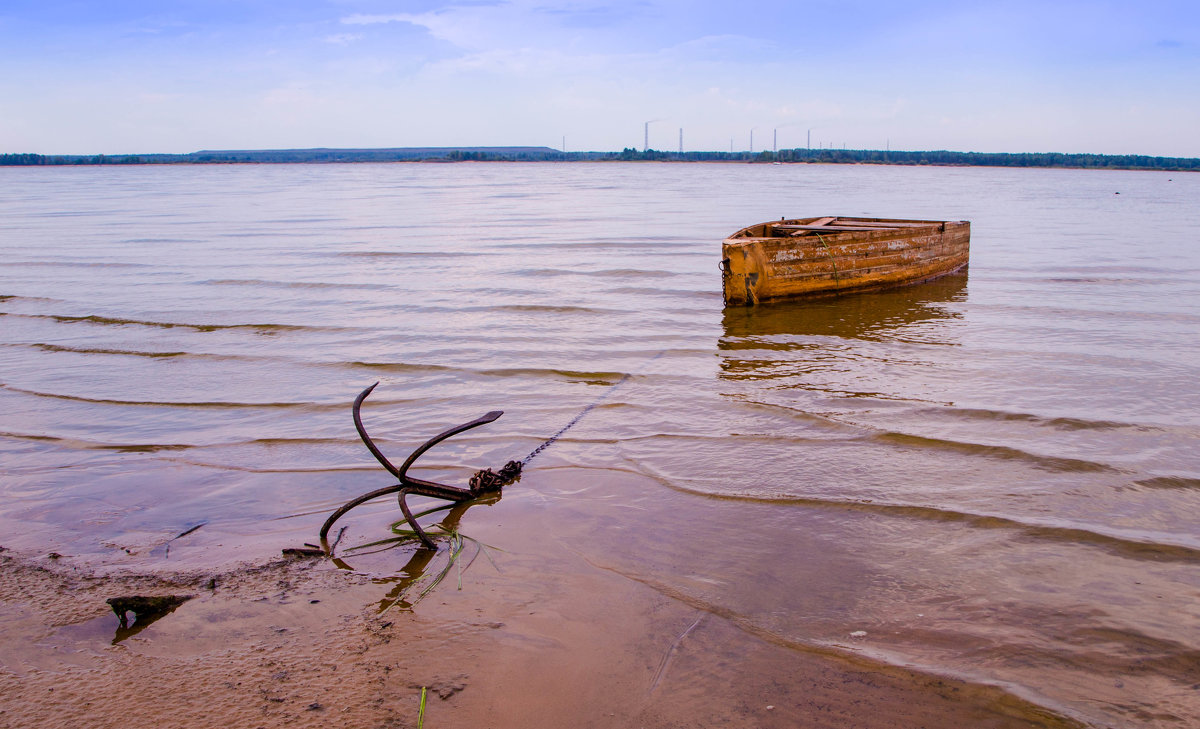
<point x="483" y="483"/>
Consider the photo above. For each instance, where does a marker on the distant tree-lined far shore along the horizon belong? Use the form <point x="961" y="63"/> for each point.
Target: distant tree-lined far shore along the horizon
<point x="541" y="154"/>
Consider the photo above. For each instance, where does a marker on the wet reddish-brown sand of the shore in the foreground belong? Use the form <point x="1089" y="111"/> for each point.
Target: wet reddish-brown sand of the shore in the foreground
<point x="550" y="637"/>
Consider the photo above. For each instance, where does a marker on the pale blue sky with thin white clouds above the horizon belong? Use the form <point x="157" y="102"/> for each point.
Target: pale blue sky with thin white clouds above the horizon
<point x="163" y="76"/>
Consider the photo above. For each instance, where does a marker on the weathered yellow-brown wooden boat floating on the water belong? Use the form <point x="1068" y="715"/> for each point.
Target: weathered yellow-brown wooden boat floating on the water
<point x="831" y="256"/>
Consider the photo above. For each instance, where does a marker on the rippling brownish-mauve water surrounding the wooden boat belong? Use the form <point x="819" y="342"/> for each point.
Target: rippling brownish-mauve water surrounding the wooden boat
<point x="993" y="475"/>
